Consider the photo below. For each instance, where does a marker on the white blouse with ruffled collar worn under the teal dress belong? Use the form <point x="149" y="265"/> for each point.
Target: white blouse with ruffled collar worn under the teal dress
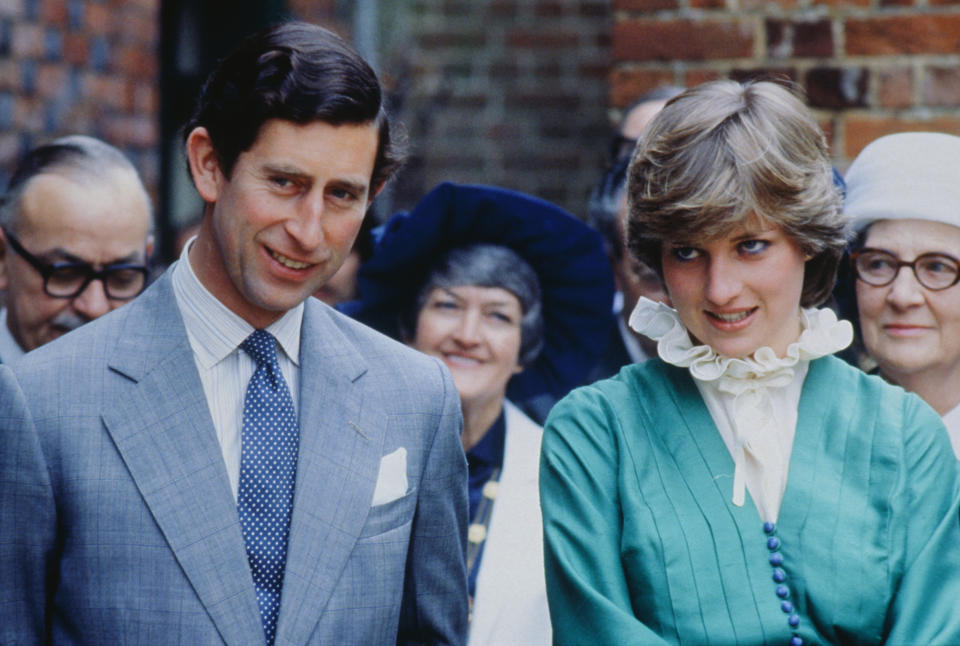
<point x="753" y="401"/>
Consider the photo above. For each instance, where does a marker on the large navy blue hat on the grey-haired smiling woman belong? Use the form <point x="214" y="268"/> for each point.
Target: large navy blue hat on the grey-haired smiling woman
<point x="575" y="277"/>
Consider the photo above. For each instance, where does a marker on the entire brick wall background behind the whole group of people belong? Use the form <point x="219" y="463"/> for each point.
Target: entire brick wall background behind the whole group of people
<point x="511" y="92"/>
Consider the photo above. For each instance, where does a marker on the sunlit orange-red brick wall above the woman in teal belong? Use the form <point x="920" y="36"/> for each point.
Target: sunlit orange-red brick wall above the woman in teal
<point x="870" y="67"/>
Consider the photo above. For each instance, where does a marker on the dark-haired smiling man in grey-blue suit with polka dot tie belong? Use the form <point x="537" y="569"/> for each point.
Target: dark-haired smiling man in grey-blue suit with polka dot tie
<point x="226" y="460"/>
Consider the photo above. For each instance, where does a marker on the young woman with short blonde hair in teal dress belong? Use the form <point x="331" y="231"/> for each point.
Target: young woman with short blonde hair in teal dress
<point x="747" y="487"/>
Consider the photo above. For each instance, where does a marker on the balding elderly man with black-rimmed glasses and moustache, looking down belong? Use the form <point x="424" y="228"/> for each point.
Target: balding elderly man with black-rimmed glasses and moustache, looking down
<point x="75" y="226"/>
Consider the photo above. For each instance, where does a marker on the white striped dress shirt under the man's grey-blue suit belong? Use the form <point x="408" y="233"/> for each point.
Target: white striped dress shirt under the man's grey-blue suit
<point x="215" y="334"/>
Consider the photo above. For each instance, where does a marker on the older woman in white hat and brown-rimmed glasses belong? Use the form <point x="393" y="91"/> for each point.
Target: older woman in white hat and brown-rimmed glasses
<point x="903" y="192"/>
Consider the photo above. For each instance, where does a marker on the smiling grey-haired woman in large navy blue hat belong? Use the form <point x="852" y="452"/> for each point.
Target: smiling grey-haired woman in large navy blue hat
<point x="511" y="294"/>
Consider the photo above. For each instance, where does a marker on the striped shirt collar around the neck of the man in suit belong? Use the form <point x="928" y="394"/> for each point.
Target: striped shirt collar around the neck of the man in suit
<point x="214" y="330"/>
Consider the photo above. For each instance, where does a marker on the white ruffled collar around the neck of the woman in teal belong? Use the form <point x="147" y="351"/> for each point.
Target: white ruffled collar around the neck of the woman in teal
<point x="822" y="334"/>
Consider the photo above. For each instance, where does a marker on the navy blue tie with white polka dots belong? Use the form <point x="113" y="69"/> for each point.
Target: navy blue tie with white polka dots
<point x="268" y="468"/>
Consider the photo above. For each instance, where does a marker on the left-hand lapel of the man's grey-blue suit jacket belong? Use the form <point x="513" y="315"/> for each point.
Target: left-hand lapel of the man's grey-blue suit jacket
<point x="161" y="425"/>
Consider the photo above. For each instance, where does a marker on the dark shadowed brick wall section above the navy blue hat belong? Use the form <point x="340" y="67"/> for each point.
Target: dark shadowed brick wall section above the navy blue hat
<point x="505" y="92"/>
